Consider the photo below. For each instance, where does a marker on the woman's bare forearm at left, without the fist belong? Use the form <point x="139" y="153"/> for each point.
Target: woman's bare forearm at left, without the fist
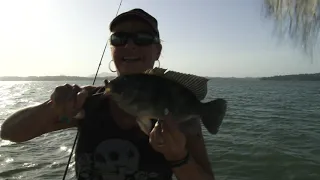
<point x="34" y="121"/>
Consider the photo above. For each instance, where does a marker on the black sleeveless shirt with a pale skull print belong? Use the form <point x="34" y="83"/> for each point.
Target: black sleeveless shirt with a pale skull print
<point x="106" y="152"/>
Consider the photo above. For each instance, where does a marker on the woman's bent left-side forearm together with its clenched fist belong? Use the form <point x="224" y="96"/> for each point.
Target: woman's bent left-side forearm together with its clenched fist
<point x="66" y="101"/>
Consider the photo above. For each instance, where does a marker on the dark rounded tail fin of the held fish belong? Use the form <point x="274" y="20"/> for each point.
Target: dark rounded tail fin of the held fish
<point x="212" y="114"/>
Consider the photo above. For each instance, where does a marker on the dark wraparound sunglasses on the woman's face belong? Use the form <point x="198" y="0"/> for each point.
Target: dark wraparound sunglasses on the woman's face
<point x="140" y="38"/>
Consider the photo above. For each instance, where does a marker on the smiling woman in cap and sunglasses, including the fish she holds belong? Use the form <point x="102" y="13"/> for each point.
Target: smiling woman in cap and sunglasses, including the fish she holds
<point x="144" y="124"/>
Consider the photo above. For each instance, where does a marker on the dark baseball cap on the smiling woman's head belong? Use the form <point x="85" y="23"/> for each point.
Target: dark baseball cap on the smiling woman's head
<point x="137" y="13"/>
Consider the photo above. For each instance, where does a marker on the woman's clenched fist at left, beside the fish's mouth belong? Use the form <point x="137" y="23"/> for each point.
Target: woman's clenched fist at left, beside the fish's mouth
<point x="68" y="100"/>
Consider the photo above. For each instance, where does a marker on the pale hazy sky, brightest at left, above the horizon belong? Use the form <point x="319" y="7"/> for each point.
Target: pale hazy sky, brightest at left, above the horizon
<point x="217" y="38"/>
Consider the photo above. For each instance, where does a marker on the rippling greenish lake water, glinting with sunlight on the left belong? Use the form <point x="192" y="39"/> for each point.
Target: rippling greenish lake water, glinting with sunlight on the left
<point x="271" y="132"/>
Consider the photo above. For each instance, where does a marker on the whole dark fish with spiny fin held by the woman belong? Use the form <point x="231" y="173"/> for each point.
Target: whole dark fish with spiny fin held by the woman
<point x="157" y="92"/>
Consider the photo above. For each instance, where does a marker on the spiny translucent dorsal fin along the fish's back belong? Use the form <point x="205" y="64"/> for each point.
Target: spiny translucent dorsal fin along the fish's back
<point x="196" y="84"/>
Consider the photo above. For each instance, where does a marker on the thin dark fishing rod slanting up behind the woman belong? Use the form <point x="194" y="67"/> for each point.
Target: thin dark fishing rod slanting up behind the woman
<point x="94" y="80"/>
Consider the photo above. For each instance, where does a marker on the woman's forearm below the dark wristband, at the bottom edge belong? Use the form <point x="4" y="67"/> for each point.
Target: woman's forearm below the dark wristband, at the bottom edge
<point x="191" y="171"/>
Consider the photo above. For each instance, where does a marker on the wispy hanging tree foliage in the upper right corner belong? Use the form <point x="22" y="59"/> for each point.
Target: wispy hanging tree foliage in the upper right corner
<point x="298" y="20"/>
